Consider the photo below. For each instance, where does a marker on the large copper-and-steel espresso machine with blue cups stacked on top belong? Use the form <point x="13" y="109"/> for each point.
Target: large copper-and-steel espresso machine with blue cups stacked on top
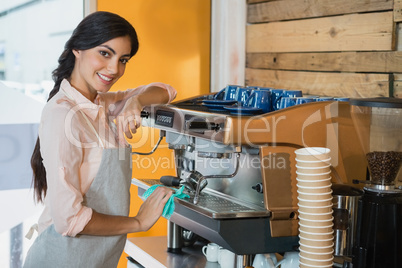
<point x="239" y="170"/>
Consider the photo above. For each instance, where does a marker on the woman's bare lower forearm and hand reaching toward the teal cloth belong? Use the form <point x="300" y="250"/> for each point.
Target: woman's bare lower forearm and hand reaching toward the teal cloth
<point x="149" y="213"/>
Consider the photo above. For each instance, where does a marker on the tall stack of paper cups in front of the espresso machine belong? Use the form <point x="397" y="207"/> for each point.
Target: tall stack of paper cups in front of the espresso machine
<point x="315" y="207"/>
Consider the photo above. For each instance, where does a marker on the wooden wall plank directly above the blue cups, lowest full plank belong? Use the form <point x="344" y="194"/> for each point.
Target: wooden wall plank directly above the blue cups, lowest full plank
<point x="322" y="83"/>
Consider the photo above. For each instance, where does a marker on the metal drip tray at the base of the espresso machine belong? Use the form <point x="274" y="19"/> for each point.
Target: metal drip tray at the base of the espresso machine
<point x="211" y="203"/>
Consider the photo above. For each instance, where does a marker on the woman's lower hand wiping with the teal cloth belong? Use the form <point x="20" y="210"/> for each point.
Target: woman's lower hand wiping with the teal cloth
<point x="152" y="208"/>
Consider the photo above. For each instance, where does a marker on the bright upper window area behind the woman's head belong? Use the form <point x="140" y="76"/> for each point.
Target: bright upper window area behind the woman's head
<point x="32" y="37"/>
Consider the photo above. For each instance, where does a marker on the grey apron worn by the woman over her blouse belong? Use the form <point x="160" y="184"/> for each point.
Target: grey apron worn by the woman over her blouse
<point x="108" y="194"/>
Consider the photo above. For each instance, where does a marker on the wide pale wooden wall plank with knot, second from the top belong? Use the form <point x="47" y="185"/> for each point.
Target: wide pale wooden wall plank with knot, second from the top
<point x="355" y="32"/>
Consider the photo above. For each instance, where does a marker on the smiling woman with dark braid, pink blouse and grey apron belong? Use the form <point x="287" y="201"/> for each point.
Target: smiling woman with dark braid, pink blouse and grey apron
<point x="82" y="162"/>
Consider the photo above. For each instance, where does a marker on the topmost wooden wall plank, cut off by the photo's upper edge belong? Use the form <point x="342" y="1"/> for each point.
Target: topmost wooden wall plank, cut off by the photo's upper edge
<point x="297" y="9"/>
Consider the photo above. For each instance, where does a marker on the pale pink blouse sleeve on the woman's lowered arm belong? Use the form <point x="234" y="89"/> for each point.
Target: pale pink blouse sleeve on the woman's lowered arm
<point x="62" y="158"/>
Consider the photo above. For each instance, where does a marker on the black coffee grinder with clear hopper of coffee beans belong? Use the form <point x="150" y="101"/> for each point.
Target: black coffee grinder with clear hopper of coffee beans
<point x="378" y="122"/>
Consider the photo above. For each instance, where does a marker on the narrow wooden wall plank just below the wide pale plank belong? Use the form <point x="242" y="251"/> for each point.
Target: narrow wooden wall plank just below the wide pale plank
<point x="375" y="62"/>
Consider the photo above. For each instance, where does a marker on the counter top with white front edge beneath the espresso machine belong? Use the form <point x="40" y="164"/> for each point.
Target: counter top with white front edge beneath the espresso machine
<point x="152" y="252"/>
